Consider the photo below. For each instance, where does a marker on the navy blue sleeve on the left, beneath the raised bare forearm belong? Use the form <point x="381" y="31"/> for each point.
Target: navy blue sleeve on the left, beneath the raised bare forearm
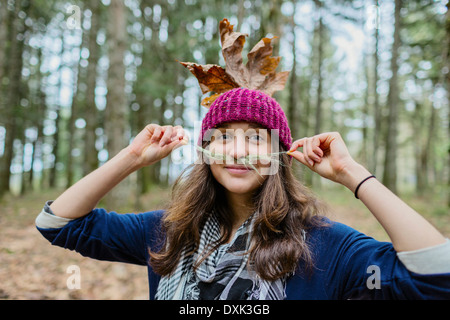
<point x="109" y="236"/>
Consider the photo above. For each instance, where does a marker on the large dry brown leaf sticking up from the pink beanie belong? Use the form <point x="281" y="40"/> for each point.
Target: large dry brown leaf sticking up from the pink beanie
<point x="258" y="73"/>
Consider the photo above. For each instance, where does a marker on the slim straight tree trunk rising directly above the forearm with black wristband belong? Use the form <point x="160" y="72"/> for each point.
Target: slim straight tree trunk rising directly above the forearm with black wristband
<point x="390" y="160"/>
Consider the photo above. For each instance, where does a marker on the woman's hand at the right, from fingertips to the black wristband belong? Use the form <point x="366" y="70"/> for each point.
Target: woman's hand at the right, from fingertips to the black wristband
<point x="327" y="155"/>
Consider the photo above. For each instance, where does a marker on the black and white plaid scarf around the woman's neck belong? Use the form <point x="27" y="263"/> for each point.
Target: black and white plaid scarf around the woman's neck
<point x="223" y="275"/>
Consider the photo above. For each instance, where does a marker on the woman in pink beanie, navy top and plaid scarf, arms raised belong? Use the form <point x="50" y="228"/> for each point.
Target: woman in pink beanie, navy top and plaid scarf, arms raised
<point x="237" y="231"/>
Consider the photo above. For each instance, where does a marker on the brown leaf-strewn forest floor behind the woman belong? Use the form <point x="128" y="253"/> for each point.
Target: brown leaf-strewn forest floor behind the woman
<point x="30" y="268"/>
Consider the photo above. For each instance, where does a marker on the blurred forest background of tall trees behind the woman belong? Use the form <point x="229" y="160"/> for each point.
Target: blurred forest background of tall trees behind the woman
<point x="79" y="79"/>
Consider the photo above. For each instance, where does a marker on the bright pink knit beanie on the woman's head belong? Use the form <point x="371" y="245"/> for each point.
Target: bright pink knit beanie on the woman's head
<point x="242" y="104"/>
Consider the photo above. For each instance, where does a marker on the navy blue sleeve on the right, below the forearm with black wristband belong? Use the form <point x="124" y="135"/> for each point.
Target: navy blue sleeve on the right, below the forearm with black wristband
<point x="364" y="268"/>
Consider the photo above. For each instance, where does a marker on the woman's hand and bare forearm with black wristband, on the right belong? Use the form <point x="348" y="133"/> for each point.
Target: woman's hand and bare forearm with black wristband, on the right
<point x="328" y="155"/>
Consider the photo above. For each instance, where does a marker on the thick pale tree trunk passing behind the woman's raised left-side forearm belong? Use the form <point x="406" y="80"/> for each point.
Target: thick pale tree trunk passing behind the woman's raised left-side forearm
<point x="115" y="113"/>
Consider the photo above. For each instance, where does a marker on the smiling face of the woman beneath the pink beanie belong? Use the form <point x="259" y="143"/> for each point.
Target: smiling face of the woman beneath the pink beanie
<point x="238" y="140"/>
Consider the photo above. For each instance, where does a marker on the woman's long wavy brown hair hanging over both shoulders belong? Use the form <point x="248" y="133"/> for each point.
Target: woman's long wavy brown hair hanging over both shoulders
<point x="285" y="210"/>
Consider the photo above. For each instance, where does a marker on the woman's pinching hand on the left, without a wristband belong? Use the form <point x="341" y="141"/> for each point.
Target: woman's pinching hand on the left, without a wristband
<point x="156" y="142"/>
